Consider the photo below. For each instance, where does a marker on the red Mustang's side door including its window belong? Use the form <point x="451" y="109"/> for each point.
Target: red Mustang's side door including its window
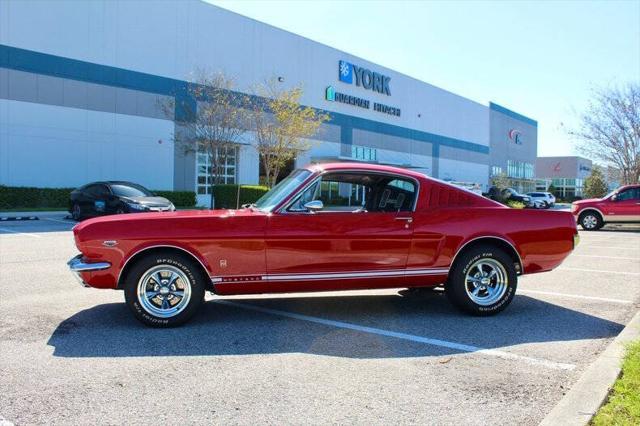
<point x="363" y="232"/>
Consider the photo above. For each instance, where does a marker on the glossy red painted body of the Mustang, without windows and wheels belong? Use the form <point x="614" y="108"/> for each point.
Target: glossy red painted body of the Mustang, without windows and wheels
<point x="249" y="251"/>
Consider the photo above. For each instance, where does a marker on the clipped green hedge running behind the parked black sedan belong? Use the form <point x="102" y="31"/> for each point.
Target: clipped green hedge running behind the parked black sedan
<point x="23" y="197"/>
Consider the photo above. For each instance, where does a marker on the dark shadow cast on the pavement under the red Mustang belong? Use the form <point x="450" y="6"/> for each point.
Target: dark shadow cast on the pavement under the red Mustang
<point x="109" y="330"/>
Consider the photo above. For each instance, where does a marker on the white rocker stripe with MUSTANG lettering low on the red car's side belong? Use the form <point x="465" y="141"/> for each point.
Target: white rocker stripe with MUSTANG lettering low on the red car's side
<point x="335" y="275"/>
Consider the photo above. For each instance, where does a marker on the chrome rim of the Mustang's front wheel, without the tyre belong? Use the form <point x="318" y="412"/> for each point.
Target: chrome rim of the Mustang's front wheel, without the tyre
<point x="164" y="291"/>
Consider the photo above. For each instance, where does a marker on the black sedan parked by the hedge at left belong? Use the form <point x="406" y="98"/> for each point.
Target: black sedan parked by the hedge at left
<point x="114" y="197"/>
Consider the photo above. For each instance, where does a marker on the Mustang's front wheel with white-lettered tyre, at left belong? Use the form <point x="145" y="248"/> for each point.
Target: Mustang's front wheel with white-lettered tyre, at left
<point x="164" y="289"/>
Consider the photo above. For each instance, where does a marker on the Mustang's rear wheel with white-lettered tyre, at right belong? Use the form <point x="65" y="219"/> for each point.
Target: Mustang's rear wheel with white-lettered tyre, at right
<point x="483" y="281"/>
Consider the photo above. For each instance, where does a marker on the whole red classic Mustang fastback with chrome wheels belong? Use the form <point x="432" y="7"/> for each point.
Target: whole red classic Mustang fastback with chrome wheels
<point x="327" y="227"/>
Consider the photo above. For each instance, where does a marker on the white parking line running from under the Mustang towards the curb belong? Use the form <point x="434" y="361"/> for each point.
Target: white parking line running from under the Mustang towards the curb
<point x="403" y="336"/>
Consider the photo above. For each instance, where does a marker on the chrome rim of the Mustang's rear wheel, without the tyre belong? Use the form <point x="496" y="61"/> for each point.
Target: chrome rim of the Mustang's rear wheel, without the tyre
<point x="486" y="282"/>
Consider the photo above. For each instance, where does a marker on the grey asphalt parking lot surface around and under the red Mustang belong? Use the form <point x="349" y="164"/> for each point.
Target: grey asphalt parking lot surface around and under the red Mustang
<point x="71" y="355"/>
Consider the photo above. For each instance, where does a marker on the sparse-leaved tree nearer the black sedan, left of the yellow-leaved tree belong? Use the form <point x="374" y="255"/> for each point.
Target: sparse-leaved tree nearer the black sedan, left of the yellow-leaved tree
<point x="213" y="121"/>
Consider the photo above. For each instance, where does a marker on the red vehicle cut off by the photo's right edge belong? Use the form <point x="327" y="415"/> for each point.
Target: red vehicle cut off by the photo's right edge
<point x="619" y="206"/>
